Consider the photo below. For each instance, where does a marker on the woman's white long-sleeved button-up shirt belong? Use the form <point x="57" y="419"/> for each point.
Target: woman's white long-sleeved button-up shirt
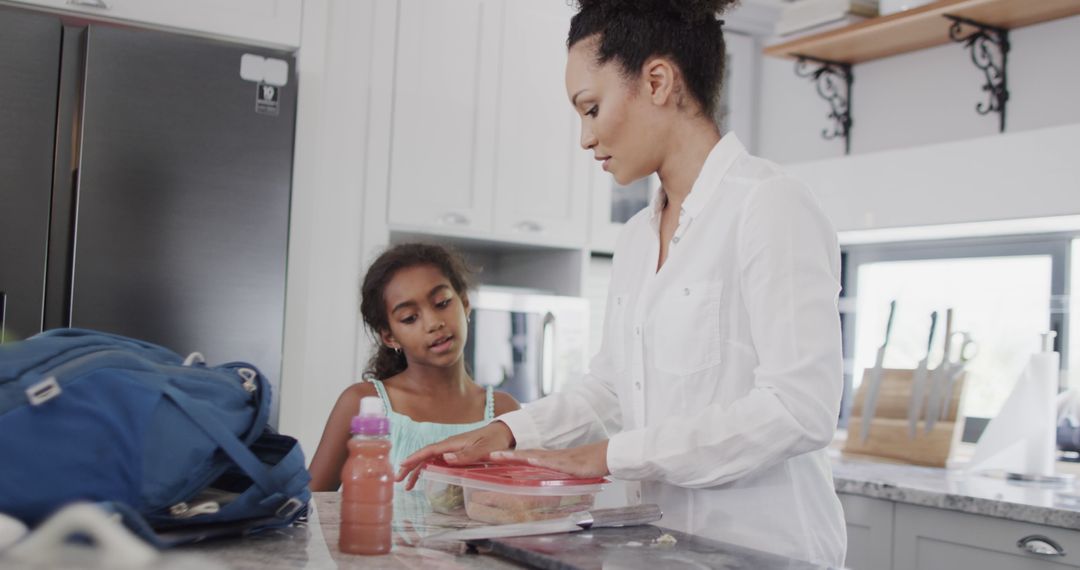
<point x="720" y="377"/>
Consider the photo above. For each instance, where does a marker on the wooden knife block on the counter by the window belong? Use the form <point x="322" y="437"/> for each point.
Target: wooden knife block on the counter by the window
<point x="889" y="431"/>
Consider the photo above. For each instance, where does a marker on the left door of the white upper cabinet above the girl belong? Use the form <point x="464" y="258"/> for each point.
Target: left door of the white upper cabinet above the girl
<point x="445" y="97"/>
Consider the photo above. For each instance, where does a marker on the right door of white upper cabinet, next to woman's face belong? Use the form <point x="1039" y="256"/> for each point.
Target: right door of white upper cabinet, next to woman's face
<point x="542" y="178"/>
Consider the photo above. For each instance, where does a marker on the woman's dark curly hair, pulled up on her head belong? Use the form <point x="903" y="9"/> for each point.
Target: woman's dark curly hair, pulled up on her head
<point x="631" y="32"/>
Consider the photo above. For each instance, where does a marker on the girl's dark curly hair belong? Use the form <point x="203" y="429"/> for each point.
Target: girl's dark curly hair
<point x="386" y="362"/>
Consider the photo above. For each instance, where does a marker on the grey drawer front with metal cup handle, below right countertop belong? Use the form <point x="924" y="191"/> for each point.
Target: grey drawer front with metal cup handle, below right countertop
<point x="933" y="539"/>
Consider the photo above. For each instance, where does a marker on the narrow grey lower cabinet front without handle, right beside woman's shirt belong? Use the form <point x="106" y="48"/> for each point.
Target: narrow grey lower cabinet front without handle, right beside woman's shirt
<point x="870" y="525"/>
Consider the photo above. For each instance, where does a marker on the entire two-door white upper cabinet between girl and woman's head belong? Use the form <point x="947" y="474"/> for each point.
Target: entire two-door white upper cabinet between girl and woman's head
<point x="484" y="143"/>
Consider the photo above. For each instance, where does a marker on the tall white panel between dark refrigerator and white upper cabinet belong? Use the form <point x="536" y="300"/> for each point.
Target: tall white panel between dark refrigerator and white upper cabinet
<point x="332" y="227"/>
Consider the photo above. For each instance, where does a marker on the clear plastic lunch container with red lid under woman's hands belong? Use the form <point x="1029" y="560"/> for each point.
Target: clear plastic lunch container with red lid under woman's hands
<point x="508" y="494"/>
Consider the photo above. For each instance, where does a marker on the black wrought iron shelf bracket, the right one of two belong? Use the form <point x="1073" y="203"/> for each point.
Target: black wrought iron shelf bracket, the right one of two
<point x="990" y="52"/>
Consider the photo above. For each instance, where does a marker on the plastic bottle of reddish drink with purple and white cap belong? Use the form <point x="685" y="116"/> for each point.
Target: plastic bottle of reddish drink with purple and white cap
<point x="368" y="484"/>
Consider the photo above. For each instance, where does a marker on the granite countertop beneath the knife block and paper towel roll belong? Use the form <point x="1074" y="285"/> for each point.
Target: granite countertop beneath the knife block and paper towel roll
<point x="956" y="491"/>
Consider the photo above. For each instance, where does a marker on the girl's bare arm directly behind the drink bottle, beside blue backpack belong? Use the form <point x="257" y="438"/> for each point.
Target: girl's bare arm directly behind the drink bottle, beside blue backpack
<point x="332" y="453"/>
